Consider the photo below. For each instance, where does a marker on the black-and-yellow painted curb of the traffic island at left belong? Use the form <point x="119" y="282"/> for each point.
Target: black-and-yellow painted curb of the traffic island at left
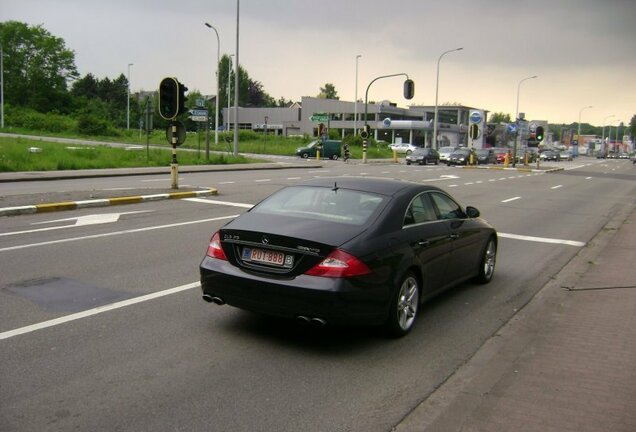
<point x="72" y="205"/>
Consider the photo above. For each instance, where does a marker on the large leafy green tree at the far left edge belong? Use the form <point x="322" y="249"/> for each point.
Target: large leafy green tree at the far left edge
<point x="37" y="66"/>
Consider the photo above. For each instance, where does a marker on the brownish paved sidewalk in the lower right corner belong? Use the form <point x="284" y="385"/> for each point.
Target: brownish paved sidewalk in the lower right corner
<point x="565" y="362"/>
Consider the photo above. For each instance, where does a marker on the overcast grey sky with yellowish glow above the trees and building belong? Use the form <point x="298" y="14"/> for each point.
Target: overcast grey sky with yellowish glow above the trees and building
<point x="583" y="51"/>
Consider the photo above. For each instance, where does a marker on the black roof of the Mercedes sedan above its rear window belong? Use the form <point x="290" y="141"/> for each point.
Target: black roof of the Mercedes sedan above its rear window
<point x="382" y="186"/>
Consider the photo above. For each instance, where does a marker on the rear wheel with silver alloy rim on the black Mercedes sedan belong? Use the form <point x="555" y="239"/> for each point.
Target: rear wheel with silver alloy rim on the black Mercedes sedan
<point x="404" y="307"/>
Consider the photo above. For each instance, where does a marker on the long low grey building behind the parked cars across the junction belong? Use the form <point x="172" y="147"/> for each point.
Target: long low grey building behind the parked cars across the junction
<point x="388" y="122"/>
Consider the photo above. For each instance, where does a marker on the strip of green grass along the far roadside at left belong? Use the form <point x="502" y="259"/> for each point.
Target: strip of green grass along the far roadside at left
<point x="15" y="155"/>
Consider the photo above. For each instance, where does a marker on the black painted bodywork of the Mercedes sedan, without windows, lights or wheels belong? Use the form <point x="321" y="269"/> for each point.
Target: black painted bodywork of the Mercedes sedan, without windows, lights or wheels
<point x="429" y="250"/>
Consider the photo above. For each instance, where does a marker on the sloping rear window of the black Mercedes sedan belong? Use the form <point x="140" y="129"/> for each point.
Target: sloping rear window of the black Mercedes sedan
<point x="322" y="204"/>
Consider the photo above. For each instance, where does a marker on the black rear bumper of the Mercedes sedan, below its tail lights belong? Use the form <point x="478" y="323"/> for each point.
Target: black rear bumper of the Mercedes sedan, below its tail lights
<point x="336" y="301"/>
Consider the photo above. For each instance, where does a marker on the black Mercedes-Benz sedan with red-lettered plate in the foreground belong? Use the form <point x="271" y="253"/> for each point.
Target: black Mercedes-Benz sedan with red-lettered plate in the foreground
<point x="348" y="250"/>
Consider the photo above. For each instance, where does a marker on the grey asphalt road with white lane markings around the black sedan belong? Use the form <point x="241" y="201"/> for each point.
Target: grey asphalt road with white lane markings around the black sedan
<point x="116" y="360"/>
